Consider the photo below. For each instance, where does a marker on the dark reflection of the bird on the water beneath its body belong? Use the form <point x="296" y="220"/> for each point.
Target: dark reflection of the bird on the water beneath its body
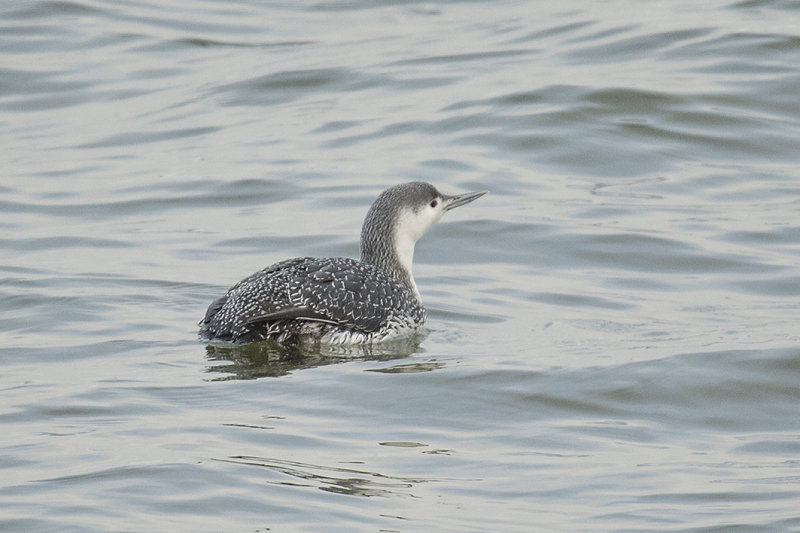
<point x="268" y="359"/>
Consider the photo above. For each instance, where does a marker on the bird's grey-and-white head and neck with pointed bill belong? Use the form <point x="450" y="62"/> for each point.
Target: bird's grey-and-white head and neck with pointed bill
<point x="398" y="218"/>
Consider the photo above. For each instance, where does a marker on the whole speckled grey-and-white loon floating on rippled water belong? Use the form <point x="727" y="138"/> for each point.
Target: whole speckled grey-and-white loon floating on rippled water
<point x="340" y="300"/>
